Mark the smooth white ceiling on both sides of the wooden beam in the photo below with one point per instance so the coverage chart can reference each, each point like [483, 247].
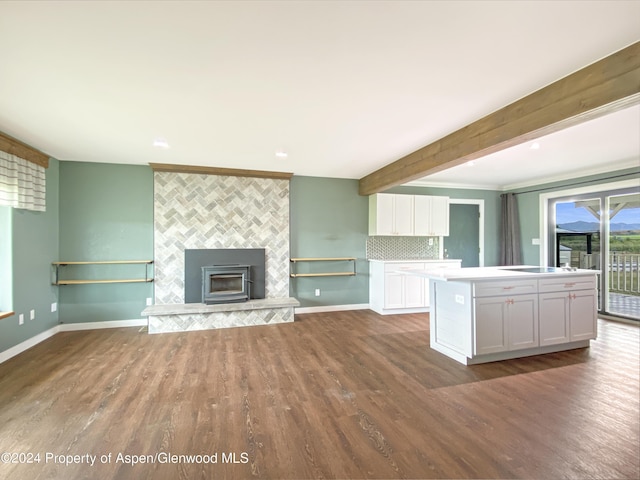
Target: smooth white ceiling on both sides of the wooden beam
[344, 87]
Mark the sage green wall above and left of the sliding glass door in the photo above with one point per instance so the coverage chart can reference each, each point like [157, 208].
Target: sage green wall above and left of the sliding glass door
[529, 205]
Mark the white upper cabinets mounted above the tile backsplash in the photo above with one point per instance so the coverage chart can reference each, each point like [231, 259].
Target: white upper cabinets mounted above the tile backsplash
[408, 215]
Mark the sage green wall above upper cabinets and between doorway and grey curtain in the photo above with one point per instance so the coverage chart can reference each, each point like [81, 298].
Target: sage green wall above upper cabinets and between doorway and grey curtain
[491, 213]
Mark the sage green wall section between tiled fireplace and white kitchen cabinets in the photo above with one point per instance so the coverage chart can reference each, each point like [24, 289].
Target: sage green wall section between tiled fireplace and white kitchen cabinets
[329, 219]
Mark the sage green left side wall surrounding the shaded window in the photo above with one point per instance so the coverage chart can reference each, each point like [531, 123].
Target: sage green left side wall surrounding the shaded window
[34, 245]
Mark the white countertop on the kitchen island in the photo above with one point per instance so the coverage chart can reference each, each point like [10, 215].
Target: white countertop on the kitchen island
[492, 273]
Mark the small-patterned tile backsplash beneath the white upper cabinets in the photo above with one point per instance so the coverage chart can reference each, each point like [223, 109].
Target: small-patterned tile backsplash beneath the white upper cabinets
[402, 248]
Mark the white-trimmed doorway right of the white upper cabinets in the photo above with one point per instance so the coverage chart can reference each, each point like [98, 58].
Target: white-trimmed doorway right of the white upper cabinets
[466, 232]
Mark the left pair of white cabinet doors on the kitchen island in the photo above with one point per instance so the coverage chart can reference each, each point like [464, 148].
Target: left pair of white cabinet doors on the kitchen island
[505, 323]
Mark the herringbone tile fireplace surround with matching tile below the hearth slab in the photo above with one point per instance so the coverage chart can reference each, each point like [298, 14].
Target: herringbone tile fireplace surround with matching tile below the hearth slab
[213, 211]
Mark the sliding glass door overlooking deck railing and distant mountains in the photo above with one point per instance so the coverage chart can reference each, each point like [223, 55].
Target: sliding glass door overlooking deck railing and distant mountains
[601, 231]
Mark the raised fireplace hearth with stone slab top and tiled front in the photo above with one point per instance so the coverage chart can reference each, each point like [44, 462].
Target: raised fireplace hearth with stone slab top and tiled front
[198, 316]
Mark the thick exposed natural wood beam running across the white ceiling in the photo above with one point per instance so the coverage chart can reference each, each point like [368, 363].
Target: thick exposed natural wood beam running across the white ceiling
[603, 87]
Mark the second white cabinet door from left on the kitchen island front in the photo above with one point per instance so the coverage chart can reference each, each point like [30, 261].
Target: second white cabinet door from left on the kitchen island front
[522, 319]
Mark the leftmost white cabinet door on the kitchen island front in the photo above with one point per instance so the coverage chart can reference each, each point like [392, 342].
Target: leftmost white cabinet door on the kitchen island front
[490, 325]
